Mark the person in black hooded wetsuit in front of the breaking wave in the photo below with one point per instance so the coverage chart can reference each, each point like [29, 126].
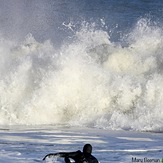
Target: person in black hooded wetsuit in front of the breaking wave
[78, 156]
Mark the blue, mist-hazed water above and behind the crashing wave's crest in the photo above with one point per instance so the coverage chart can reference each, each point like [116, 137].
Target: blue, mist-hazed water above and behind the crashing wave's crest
[44, 18]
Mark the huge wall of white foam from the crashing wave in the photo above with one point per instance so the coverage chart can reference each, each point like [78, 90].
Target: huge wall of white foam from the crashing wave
[89, 81]
